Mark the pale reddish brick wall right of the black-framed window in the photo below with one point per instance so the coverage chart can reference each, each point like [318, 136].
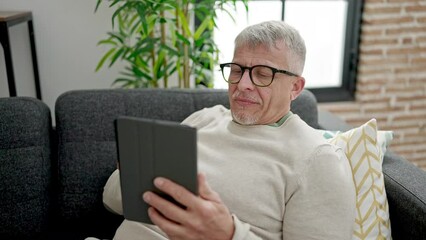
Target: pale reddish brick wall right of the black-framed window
[391, 82]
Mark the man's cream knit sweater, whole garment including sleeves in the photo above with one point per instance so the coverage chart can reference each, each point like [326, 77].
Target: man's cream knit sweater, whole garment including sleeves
[282, 182]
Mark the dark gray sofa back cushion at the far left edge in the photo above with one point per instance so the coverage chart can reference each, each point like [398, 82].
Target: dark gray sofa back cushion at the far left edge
[25, 167]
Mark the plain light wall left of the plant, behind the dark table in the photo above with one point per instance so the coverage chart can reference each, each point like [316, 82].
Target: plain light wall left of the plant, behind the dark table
[66, 34]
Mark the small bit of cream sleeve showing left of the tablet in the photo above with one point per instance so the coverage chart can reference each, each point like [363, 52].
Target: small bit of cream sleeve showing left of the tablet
[112, 194]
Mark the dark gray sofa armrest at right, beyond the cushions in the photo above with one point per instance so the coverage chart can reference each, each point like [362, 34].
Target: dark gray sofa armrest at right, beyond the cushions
[406, 192]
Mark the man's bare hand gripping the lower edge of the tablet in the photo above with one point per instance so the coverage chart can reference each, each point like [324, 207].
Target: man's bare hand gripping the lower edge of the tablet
[205, 216]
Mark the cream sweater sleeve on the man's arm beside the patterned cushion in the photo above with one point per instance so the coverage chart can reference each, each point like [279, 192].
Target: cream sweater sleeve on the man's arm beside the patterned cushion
[323, 206]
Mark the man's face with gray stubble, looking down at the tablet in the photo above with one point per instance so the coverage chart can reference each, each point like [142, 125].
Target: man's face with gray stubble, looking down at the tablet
[262, 105]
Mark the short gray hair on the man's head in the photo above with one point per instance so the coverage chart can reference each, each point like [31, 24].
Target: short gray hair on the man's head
[270, 33]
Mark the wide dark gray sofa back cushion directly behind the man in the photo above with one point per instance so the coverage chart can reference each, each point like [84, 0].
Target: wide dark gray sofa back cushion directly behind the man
[86, 139]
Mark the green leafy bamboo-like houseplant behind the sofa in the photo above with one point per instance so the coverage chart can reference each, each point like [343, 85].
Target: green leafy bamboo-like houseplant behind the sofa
[162, 39]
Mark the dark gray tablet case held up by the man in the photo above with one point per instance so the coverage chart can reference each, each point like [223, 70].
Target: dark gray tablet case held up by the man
[150, 148]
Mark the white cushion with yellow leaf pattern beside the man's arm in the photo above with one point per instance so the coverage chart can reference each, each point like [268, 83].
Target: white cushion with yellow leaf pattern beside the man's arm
[364, 147]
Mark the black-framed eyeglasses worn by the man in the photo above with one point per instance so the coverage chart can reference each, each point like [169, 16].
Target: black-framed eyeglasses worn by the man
[260, 75]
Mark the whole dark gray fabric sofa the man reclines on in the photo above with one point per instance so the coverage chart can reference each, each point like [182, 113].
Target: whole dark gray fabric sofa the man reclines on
[52, 178]
